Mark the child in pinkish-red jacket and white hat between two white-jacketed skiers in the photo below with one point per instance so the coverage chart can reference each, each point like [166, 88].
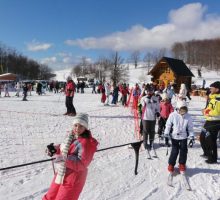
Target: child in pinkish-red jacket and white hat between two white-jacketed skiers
[165, 109]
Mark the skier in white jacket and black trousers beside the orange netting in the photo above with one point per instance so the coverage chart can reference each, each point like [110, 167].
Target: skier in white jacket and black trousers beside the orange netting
[150, 110]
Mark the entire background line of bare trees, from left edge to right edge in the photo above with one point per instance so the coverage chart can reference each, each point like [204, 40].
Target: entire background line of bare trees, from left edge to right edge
[202, 53]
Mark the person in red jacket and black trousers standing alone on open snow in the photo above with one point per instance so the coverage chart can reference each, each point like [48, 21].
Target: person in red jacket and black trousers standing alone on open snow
[69, 91]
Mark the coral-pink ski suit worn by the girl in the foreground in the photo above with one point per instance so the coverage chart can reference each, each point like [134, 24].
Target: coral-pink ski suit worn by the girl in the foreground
[80, 155]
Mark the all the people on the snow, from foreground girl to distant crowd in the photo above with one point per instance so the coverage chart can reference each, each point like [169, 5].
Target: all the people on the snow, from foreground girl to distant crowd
[153, 104]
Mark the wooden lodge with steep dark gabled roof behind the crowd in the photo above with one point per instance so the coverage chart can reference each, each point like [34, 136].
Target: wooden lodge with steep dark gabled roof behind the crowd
[170, 70]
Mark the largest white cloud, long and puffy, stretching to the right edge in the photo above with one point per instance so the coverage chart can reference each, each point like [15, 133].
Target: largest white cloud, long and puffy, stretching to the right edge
[186, 23]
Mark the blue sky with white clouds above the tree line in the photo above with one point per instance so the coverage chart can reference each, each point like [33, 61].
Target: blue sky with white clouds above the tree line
[60, 32]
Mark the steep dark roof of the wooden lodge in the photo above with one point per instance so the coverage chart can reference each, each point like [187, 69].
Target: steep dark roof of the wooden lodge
[177, 66]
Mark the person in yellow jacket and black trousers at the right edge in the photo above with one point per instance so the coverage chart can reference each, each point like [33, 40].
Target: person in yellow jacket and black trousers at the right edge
[212, 123]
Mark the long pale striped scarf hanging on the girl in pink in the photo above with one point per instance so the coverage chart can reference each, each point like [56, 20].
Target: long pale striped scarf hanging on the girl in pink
[64, 147]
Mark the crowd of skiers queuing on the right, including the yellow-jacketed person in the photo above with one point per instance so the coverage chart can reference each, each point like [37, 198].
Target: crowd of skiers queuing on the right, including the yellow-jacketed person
[170, 109]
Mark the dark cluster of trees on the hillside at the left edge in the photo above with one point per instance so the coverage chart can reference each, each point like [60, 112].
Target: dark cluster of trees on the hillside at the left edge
[13, 62]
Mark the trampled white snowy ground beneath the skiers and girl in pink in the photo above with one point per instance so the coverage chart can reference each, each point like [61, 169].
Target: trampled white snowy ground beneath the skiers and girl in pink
[27, 127]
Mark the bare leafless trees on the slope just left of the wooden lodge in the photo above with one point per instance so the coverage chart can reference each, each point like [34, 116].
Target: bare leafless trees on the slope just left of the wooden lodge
[114, 66]
